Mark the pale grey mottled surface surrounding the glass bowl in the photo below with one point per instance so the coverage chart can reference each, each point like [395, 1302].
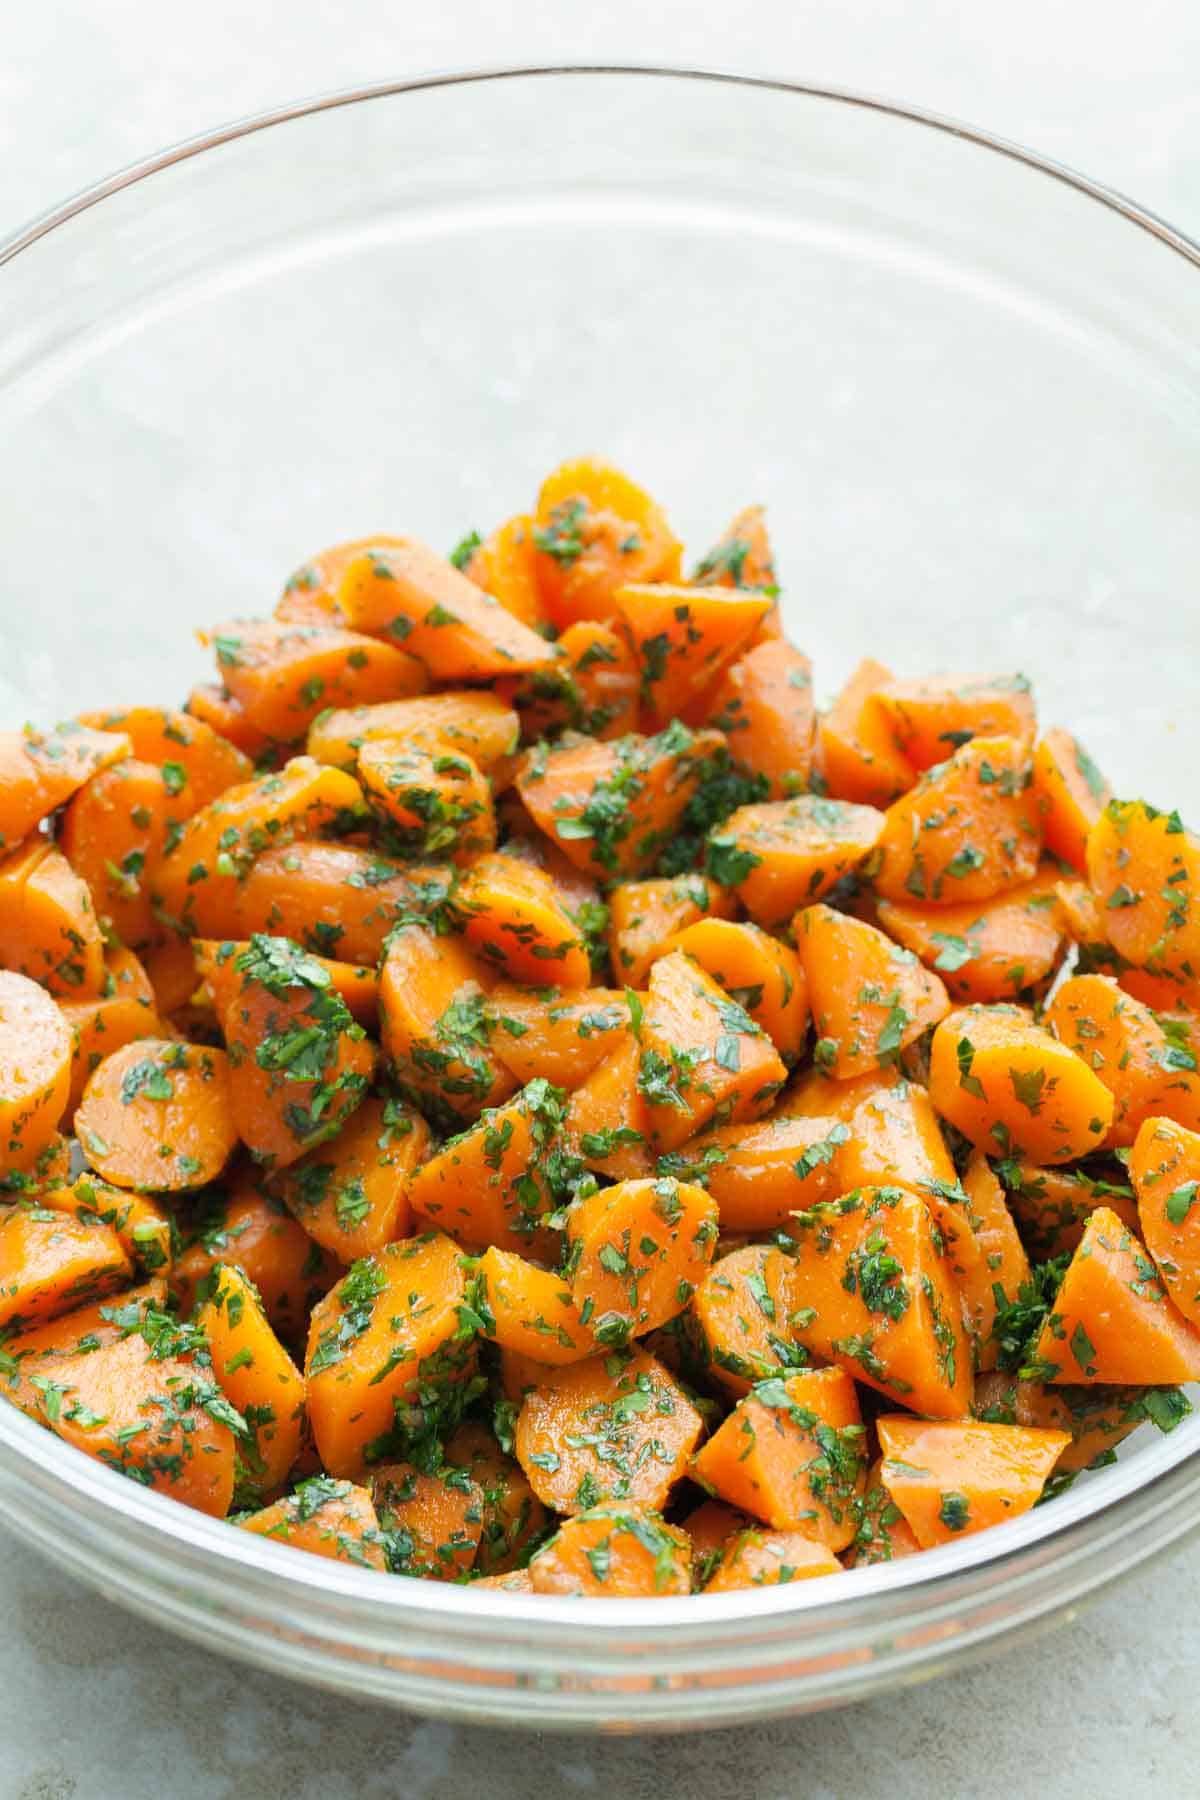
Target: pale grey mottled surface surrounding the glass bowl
[96, 1705]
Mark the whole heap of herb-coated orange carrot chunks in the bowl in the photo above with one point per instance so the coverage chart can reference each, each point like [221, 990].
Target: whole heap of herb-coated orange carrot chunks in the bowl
[499, 1088]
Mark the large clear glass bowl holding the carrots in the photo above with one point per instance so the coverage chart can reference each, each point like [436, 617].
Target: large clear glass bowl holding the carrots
[965, 382]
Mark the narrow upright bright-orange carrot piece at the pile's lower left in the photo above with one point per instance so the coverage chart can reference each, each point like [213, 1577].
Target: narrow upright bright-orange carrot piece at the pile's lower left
[258, 1376]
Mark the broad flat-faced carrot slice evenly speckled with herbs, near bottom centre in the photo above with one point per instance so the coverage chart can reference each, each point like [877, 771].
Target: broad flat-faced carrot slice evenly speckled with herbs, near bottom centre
[616, 1426]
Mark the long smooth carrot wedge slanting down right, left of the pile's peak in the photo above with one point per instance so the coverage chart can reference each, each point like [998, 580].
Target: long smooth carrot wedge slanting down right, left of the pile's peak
[411, 597]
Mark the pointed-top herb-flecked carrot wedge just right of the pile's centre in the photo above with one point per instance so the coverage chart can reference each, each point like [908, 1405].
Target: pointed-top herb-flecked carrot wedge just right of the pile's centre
[703, 1059]
